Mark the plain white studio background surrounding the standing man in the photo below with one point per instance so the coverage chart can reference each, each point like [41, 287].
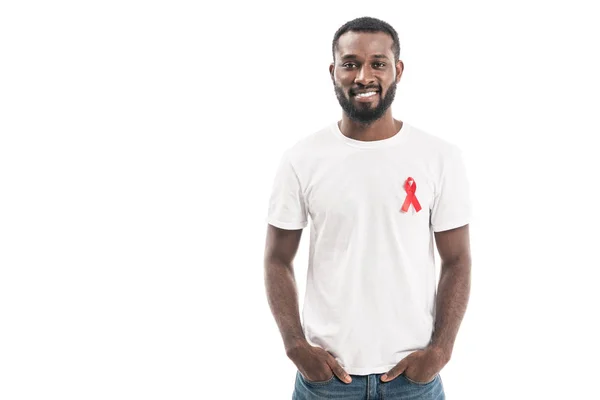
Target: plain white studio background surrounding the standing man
[138, 145]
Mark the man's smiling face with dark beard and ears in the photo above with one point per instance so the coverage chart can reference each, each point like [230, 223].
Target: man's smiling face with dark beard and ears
[364, 75]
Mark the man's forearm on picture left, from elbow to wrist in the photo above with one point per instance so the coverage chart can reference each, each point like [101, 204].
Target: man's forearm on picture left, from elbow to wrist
[283, 300]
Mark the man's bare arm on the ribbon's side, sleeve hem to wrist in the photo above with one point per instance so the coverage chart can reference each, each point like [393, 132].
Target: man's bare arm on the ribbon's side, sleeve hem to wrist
[454, 287]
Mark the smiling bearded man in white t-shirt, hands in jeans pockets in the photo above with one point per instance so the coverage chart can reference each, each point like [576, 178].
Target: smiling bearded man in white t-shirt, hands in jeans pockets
[377, 191]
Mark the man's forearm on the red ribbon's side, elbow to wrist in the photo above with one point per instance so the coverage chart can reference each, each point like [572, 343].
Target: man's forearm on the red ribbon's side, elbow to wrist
[452, 299]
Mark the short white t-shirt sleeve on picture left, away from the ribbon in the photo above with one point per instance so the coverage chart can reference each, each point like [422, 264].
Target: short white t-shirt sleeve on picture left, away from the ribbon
[287, 208]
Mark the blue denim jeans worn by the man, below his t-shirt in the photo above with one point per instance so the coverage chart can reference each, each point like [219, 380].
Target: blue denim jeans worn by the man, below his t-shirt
[368, 387]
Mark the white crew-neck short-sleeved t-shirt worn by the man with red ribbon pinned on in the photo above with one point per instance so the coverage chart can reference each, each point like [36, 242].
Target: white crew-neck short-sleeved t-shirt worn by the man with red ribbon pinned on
[371, 284]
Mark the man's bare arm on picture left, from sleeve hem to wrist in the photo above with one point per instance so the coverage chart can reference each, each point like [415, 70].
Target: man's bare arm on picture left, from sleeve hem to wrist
[280, 249]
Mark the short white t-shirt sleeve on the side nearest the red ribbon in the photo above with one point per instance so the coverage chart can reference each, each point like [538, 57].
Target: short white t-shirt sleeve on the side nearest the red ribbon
[452, 202]
